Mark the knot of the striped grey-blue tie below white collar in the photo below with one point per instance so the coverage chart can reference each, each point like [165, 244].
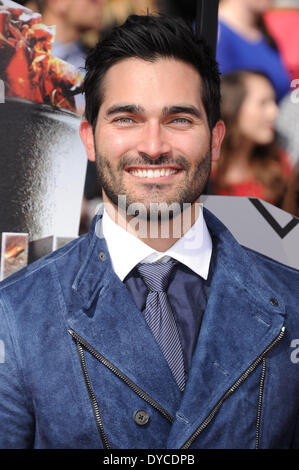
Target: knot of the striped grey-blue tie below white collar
[156, 275]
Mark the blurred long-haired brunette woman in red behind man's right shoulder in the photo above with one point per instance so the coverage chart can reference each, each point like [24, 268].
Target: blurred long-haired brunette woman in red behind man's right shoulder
[251, 163]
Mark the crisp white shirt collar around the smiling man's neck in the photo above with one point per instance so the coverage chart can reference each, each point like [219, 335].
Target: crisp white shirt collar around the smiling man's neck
[193, 250]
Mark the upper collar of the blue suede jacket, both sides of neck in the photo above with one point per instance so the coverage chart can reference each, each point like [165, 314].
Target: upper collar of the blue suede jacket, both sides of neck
[95, 271]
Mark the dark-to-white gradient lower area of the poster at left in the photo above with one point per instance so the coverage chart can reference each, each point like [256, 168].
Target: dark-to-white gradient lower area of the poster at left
[42, 169]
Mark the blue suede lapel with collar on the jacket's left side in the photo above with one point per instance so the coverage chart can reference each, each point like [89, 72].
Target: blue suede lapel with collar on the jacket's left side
[110, 322]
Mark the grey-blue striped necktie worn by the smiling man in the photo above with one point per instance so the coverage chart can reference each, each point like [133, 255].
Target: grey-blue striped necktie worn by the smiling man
[160, 318]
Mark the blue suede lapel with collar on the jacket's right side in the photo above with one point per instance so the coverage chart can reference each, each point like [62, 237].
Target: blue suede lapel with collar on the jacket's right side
[238, 325]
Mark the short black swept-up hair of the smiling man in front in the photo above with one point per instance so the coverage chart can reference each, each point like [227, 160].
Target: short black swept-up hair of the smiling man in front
[150, 38]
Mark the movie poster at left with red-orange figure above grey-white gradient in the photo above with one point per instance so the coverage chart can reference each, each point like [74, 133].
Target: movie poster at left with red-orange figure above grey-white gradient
[43, 161]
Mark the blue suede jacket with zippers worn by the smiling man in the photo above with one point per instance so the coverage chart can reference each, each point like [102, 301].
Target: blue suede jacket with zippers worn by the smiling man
[78, 359]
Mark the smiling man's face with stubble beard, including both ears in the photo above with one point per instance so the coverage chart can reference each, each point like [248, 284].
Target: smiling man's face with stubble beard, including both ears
[152, 139]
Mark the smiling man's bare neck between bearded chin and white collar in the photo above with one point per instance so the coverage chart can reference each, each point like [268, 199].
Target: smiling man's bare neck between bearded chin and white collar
[159, 235]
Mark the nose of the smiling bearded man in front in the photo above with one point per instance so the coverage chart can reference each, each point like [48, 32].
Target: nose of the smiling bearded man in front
[153, 141]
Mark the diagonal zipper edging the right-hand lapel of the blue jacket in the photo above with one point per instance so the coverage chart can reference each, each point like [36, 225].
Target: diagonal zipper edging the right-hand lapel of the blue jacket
[231, 390]
